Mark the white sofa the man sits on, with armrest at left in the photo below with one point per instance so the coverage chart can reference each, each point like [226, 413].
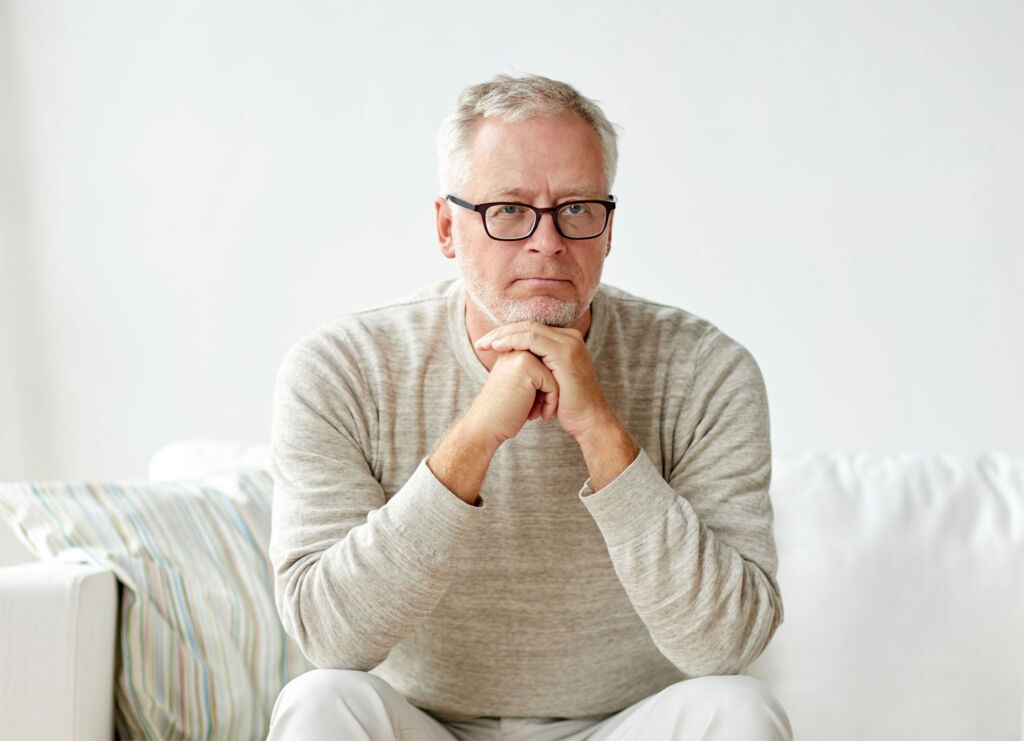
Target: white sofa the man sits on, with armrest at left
[903, 578]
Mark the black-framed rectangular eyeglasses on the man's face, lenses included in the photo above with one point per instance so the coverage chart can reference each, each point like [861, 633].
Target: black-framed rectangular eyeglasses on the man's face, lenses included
[508, 222]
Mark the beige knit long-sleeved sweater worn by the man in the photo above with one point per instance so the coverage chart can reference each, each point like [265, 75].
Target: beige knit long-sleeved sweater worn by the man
[549, 600]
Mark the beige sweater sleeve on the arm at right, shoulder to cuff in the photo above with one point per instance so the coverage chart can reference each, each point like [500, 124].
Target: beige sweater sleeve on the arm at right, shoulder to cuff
[695, 549]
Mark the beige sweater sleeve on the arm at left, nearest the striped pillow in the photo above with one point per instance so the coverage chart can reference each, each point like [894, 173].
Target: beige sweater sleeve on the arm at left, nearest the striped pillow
[356, 573]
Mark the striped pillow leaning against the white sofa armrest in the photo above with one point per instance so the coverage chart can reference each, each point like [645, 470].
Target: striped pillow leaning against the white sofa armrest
[203, 650]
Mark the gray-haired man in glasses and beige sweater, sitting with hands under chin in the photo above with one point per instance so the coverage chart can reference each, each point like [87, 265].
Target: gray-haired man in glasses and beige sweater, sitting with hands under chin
[531, 505]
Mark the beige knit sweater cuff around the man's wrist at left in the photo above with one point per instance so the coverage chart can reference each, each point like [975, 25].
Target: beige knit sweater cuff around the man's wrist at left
[429, 517]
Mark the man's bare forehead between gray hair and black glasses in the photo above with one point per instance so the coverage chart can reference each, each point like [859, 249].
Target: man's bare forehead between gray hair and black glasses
[549, 155]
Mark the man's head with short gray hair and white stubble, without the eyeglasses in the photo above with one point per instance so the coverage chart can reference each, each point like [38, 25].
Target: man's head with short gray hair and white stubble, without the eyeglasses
[536, 142]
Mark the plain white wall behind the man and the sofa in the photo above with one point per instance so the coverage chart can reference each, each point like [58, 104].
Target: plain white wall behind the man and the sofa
[190, 187]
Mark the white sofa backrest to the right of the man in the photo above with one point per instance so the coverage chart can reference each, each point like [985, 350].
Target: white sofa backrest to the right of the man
[903, 579]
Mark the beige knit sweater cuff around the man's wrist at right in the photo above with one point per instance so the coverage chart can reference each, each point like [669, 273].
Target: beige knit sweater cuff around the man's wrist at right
[635, 502]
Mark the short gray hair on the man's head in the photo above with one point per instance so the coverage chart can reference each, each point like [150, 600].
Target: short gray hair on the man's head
[516, 99]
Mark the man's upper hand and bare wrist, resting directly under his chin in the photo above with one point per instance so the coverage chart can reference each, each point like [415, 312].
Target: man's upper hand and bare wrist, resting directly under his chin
[581, 407]
